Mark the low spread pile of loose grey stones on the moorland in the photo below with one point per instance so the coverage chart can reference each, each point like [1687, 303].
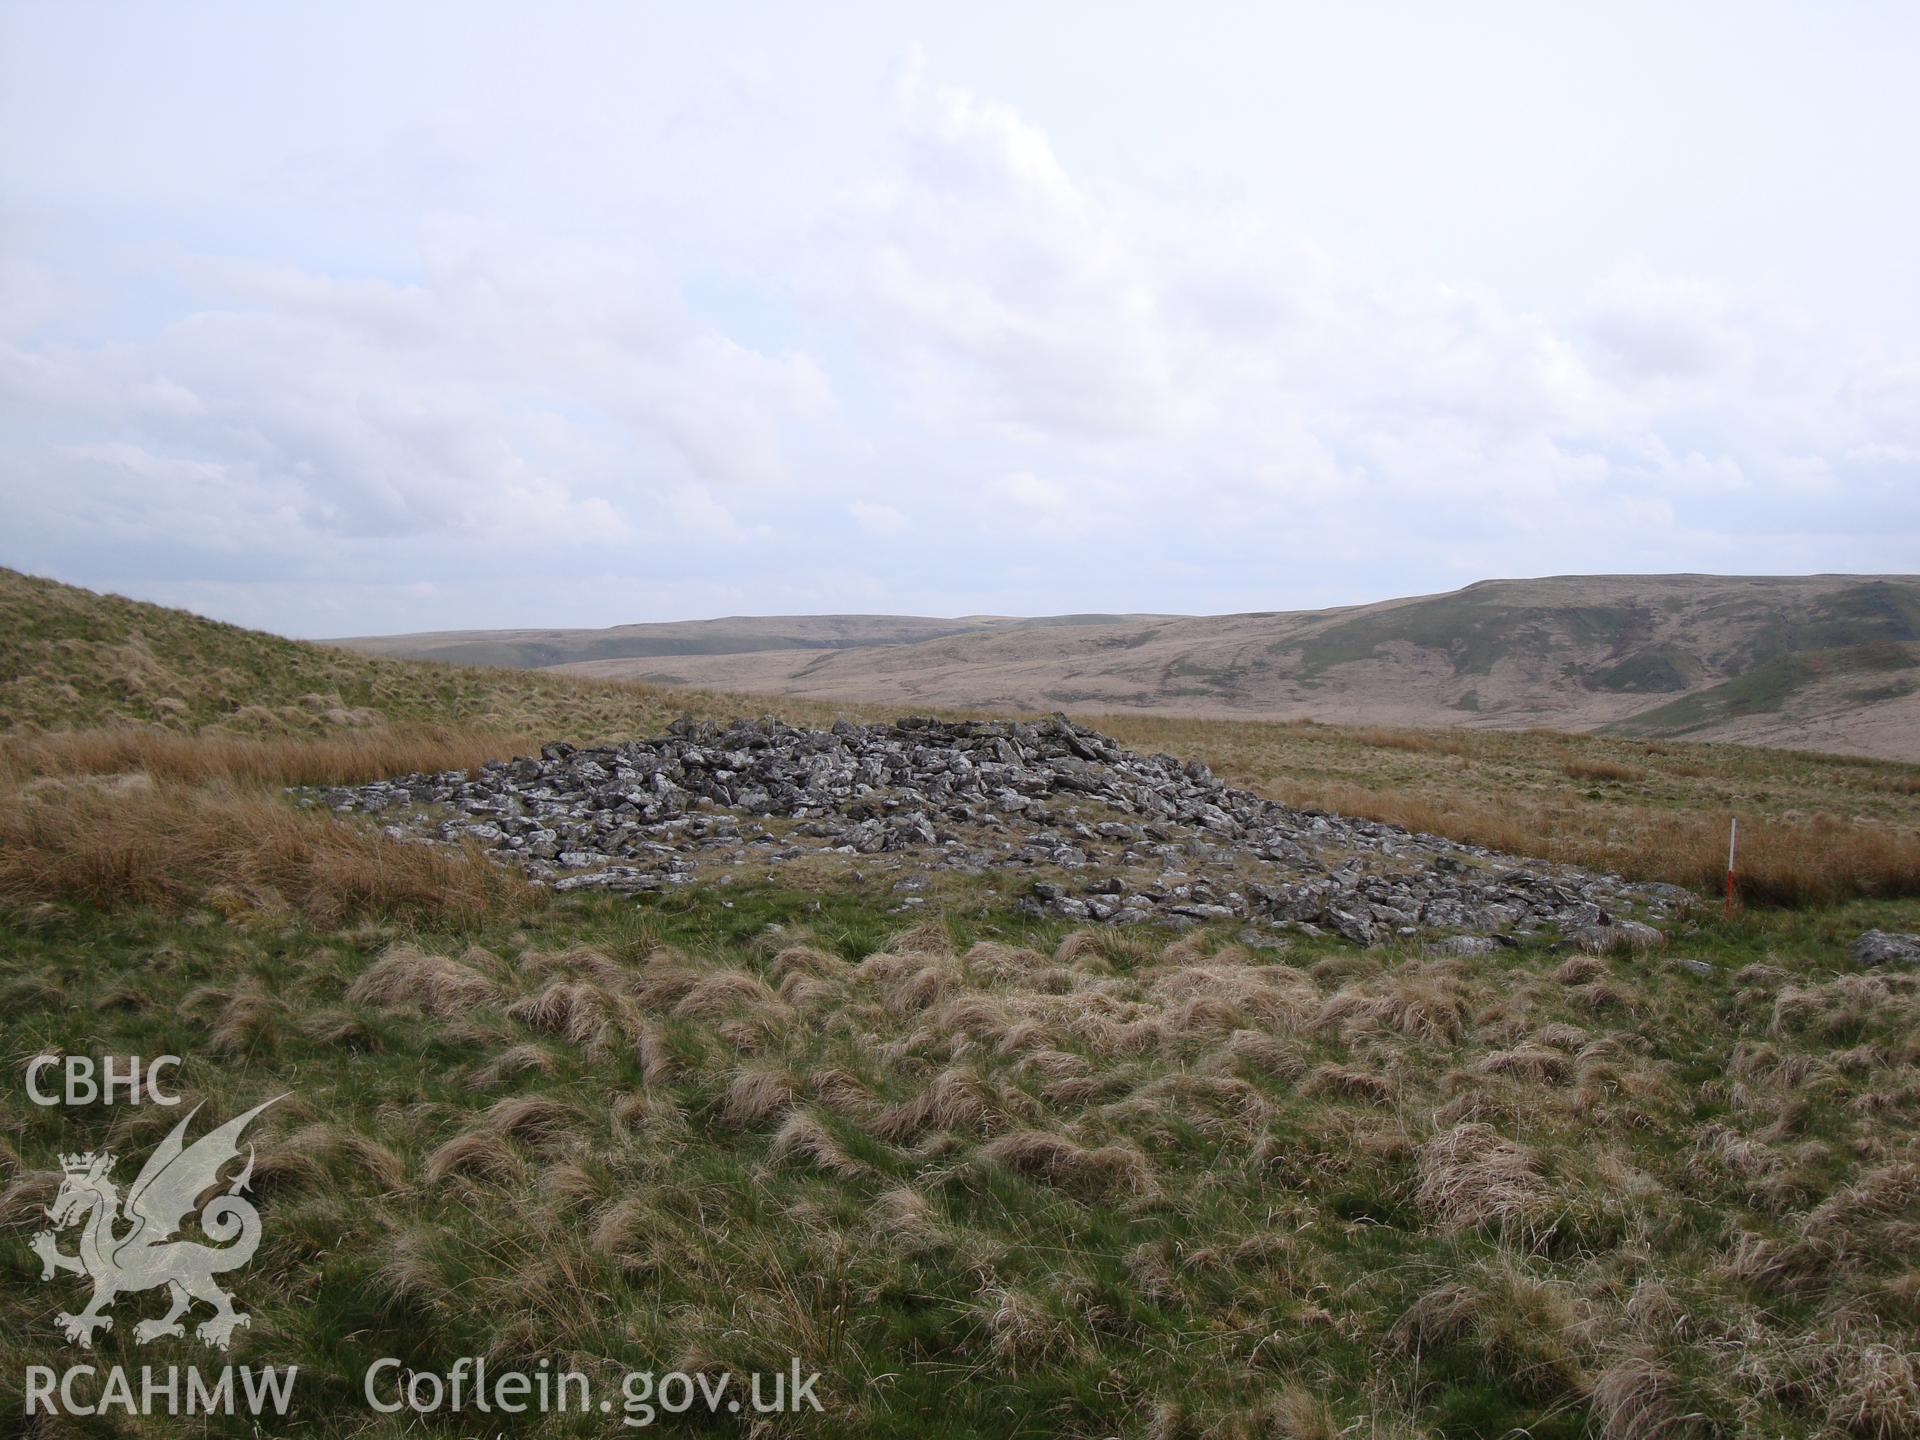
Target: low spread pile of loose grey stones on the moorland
[1078, 827]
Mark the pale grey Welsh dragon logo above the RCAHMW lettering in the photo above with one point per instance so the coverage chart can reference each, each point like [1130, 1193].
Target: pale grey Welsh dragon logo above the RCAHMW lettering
[147, 1255]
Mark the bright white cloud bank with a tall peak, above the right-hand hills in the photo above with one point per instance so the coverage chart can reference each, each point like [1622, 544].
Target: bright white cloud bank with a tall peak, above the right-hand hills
[1216, 372]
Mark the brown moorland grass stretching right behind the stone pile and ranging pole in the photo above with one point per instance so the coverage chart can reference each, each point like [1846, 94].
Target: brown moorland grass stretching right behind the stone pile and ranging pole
[1813, 828]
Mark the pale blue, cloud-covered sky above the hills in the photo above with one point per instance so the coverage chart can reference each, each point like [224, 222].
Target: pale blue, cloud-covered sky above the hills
[364, 318]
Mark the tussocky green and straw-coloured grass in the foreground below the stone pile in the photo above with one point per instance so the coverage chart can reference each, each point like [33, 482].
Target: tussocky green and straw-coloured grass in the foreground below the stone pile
[1276, 1257]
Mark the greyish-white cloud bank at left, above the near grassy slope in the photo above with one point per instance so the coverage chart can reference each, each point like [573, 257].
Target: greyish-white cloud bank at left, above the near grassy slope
[389, 410]
